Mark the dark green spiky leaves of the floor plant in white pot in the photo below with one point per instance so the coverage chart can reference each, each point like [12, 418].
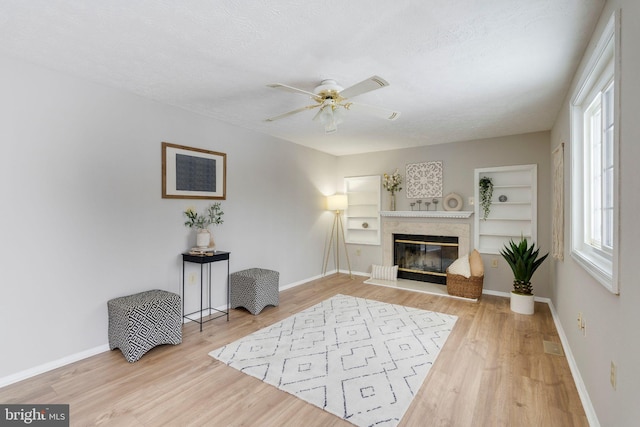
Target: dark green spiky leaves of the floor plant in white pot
[524, 261]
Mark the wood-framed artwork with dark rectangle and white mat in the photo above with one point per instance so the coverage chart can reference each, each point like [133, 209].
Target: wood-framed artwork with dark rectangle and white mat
[193, 173]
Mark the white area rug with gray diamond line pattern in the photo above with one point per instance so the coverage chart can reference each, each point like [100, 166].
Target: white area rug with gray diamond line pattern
[359, 359]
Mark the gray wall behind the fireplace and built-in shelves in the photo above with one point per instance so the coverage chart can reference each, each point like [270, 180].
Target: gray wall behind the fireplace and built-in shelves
[459, 161]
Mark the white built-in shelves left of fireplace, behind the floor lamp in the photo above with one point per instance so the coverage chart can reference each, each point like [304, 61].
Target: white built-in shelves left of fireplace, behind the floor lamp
[362, 217]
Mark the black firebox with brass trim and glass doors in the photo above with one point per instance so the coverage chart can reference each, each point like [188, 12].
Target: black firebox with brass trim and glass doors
[424, 258]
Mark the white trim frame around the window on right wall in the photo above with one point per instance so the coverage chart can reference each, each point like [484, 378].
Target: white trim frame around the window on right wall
[605, 271]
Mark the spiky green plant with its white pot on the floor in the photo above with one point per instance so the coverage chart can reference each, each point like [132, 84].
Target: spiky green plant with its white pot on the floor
[524, 260]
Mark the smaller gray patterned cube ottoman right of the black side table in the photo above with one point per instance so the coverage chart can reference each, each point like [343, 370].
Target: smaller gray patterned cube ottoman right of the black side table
[254, 289]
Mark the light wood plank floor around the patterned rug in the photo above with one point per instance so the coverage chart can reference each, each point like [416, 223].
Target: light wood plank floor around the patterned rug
[491, 372]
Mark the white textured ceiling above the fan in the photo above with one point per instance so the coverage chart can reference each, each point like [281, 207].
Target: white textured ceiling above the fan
[458, 70]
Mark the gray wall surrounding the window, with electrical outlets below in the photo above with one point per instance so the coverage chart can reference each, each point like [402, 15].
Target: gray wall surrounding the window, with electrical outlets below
[611, 320]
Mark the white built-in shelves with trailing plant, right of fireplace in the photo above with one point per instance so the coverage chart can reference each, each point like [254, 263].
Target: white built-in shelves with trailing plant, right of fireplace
[511, 218]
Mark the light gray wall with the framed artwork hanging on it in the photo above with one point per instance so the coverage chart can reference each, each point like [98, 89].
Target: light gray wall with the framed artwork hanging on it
[82, 218]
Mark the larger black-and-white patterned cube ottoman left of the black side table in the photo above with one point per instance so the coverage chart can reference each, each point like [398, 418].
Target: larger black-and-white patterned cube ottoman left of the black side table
[139, 322]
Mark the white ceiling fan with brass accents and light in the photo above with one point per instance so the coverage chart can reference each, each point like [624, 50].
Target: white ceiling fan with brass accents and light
[332, 100]
